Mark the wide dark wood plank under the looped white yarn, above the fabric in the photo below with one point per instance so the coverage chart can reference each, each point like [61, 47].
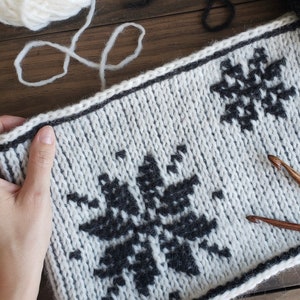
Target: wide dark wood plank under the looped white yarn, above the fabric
[164, 42]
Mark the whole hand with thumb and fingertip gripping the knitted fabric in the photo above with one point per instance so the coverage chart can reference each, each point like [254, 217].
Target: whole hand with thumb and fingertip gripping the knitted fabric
[26, 218]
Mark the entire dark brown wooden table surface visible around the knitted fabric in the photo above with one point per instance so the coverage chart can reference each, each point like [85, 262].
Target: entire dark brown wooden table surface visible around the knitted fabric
[173, 30]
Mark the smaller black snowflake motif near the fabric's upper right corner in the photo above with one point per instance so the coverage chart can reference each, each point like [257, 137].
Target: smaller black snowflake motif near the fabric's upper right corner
[262, 86]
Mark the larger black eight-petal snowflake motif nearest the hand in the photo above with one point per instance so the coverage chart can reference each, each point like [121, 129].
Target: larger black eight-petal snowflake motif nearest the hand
[135, 226]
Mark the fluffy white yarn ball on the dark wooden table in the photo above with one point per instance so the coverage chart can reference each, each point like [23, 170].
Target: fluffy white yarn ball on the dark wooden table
[36, 14]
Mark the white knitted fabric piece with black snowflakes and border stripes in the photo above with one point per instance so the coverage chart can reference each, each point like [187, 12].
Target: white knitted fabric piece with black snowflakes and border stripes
[154, 178]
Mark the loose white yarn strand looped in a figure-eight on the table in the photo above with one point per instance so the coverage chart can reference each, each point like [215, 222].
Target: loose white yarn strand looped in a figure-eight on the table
[70, 52]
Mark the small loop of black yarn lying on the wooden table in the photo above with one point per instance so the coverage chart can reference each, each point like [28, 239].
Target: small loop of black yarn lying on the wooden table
[205, 15]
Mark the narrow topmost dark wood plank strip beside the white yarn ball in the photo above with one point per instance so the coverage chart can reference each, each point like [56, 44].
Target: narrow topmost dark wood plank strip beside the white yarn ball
[114, 12]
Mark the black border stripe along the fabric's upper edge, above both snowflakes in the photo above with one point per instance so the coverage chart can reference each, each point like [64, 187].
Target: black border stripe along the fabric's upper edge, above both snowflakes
[30, 134]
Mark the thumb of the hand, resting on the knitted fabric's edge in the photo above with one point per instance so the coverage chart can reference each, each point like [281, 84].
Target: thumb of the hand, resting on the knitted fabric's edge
[41, 156]
